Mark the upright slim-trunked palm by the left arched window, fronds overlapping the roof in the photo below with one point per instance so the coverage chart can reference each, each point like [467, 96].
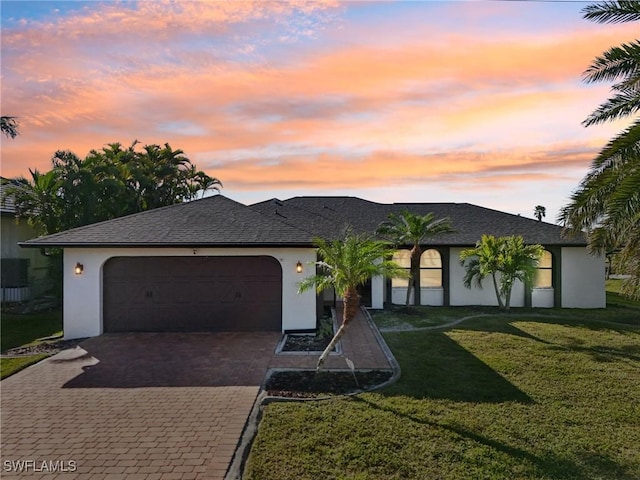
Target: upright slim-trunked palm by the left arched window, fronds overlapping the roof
[410, 229]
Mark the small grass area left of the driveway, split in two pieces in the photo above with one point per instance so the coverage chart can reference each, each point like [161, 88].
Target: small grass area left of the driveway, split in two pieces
[21, 330]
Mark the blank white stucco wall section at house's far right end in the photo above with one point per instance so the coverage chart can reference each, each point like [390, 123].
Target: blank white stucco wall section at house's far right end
[583, 279]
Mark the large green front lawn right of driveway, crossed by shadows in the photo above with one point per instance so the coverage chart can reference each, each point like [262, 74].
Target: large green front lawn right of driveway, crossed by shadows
[495, 397]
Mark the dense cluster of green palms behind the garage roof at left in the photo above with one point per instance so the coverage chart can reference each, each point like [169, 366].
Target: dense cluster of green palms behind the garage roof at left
[106, 184]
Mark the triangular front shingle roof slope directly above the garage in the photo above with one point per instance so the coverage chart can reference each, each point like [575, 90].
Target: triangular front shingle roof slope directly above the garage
[212, 221]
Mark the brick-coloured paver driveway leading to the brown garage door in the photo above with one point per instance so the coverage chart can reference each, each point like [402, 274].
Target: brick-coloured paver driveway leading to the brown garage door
[134, 406]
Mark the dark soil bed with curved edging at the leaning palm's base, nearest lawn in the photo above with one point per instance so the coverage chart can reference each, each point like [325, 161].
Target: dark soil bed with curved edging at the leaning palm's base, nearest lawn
[309, 384]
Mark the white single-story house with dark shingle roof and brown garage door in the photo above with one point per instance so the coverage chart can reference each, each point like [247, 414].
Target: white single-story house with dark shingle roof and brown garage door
[216, 264]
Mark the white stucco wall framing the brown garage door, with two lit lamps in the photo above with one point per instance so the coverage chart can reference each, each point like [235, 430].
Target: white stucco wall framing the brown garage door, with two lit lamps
[83, 293]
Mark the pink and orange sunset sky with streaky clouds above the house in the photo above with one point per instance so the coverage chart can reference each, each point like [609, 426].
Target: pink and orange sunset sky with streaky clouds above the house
[433, 101]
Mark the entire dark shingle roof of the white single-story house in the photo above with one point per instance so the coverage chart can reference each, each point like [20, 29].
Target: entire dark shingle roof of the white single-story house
[220, 221]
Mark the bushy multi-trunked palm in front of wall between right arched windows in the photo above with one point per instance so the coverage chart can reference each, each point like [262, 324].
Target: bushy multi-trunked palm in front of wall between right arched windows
[505, 259]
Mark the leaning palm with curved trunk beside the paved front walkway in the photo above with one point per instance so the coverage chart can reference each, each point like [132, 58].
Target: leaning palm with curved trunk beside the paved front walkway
[344, 265]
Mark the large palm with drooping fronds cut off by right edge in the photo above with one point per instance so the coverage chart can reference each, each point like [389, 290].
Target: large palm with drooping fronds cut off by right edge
[608, 197]
